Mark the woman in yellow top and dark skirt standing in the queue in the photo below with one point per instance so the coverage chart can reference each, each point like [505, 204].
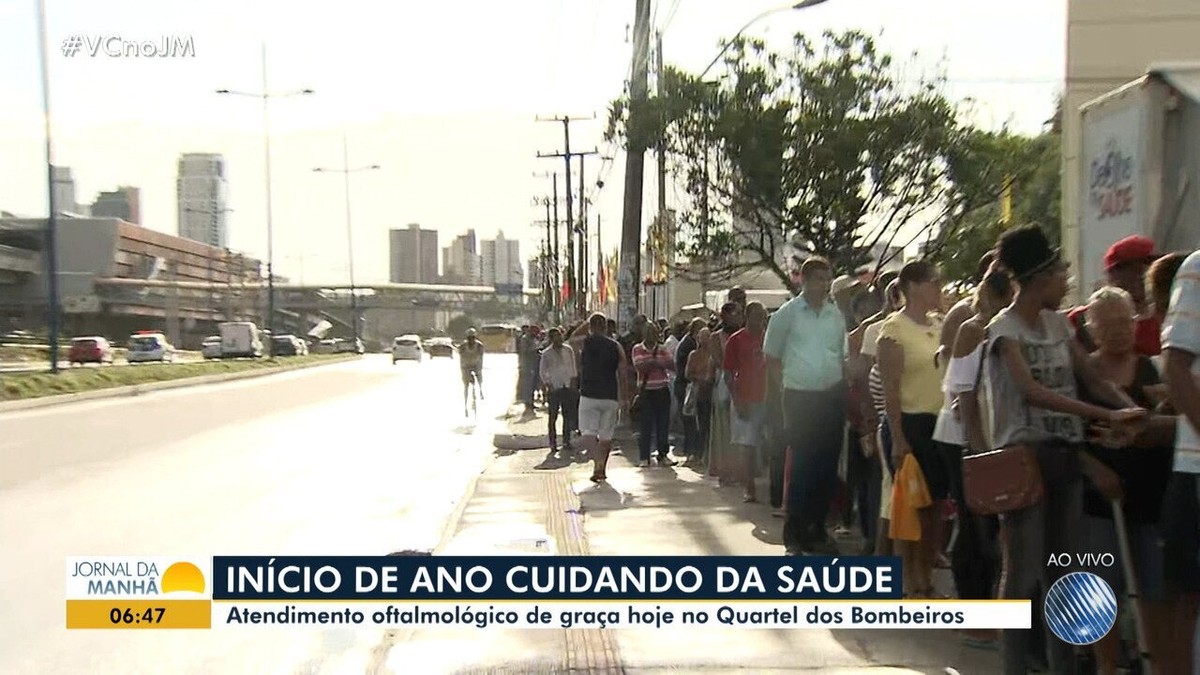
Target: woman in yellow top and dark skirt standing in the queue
[913, 386]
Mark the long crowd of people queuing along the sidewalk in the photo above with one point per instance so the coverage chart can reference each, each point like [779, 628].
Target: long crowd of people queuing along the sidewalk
[844, 403]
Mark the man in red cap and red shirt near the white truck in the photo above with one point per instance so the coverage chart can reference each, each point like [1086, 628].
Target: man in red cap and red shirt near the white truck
[1125, 267]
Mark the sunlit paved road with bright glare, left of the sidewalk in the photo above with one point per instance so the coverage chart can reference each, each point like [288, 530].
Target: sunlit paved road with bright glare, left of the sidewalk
[361, 458]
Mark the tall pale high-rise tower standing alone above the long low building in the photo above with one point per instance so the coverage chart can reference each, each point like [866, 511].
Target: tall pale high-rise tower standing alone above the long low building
[202, 199]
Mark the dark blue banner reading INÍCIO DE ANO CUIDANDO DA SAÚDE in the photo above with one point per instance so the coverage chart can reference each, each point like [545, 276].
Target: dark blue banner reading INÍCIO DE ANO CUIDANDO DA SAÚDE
[565, 578]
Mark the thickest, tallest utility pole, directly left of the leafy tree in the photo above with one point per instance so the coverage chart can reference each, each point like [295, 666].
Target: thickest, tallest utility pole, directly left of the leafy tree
[635, 175]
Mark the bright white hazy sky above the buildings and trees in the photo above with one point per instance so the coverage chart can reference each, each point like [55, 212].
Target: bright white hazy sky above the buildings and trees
[445, 97]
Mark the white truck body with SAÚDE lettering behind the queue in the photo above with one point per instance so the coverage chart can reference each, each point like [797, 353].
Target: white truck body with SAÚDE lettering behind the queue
[1141, 166]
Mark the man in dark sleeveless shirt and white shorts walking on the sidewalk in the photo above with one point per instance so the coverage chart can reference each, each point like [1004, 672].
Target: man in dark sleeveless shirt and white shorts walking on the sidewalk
[602, 371]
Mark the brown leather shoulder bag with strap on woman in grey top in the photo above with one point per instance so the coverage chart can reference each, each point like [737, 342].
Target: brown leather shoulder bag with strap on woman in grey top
[1004, 480]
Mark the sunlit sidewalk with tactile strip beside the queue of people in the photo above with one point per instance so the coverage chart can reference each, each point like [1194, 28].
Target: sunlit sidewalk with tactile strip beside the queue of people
[658, 511]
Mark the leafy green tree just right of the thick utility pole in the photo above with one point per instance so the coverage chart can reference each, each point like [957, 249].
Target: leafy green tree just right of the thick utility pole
[812, 152]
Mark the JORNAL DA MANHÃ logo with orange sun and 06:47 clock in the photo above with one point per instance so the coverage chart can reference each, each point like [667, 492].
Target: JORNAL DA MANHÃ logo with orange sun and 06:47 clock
[137, 593]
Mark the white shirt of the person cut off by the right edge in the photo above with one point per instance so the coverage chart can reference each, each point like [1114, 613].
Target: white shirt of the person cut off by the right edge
[1181, 331]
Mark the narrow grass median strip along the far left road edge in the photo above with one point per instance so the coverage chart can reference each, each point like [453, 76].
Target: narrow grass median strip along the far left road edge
[74, 381]
